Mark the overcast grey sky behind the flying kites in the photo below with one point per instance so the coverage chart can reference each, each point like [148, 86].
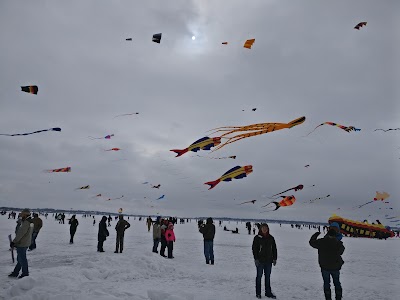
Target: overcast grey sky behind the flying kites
[307, 60]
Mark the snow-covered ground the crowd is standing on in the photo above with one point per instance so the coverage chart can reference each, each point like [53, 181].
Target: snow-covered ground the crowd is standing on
[62, 271]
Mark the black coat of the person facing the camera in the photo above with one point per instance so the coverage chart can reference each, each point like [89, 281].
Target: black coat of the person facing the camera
[264, 248]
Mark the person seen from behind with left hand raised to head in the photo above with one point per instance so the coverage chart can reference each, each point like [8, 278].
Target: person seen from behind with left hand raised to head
[330, 260]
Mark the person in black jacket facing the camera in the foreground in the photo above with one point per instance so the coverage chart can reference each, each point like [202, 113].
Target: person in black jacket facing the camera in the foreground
[265, 254]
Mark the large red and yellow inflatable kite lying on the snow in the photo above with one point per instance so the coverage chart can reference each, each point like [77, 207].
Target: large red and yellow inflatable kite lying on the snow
[361, 229]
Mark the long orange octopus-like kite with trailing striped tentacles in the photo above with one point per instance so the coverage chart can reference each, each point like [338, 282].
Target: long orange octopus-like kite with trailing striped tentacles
[256, 129]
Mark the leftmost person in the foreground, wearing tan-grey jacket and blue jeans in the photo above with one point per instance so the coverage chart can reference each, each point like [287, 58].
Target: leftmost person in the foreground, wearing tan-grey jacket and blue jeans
[21, 242]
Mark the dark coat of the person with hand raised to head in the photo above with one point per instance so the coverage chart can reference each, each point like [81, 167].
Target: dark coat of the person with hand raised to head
[329, 251]
